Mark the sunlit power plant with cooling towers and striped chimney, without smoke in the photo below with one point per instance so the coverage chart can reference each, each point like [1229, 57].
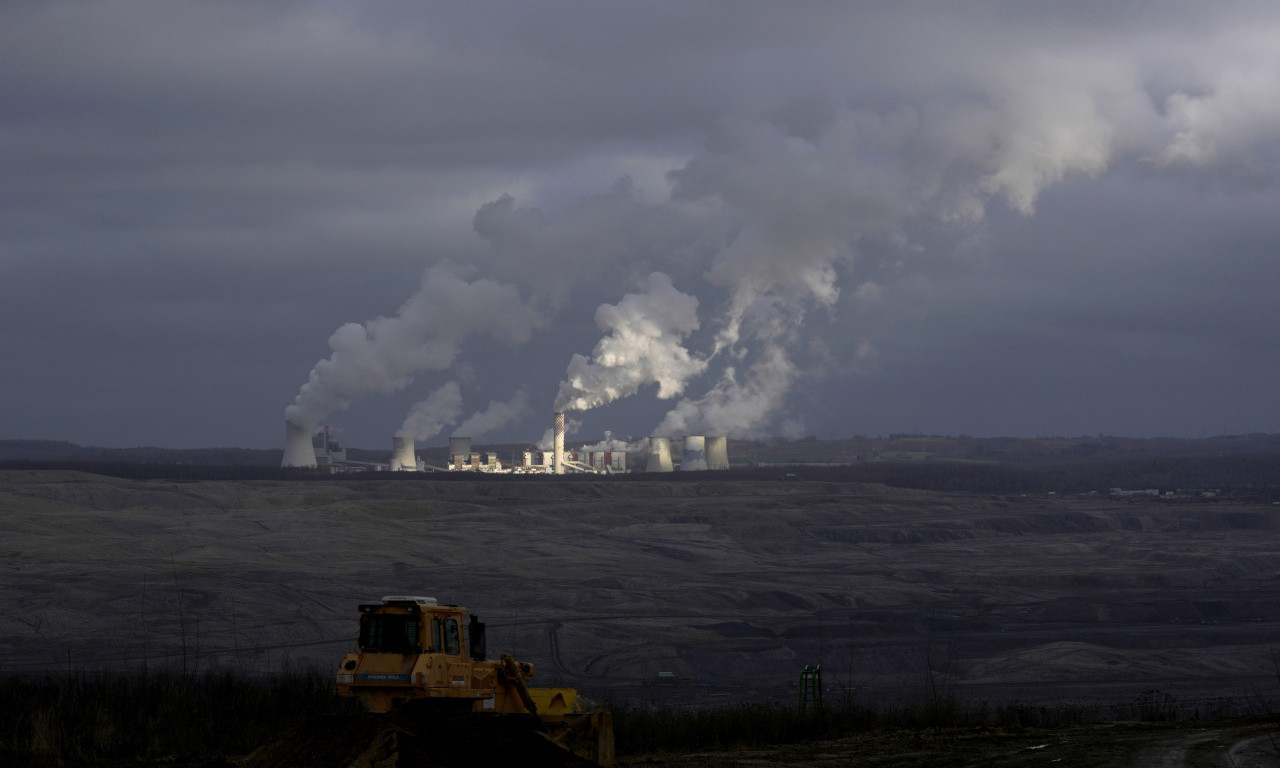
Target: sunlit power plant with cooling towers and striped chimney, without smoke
[318, 450]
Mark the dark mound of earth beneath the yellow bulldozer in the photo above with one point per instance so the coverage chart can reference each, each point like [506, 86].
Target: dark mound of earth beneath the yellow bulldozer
[413, 737]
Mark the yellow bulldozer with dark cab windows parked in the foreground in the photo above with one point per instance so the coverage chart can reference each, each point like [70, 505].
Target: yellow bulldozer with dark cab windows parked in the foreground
[415, 653]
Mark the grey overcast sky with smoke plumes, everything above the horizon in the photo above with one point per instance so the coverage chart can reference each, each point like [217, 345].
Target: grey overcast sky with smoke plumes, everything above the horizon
[742, 218]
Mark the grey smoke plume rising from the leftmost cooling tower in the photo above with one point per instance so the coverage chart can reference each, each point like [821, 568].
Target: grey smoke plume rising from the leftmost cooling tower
[386, 354]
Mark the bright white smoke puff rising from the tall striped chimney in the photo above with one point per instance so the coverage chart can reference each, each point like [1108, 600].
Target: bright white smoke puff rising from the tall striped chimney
[643, 346]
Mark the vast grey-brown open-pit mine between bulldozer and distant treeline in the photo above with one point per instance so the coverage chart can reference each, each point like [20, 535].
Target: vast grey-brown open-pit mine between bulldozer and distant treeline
[730, 587]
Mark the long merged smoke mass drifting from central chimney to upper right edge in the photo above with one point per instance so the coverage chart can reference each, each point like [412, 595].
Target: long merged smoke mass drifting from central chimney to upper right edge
[793, 205]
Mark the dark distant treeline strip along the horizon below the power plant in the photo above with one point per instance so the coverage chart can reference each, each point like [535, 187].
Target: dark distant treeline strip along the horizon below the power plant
[1229, 476]
